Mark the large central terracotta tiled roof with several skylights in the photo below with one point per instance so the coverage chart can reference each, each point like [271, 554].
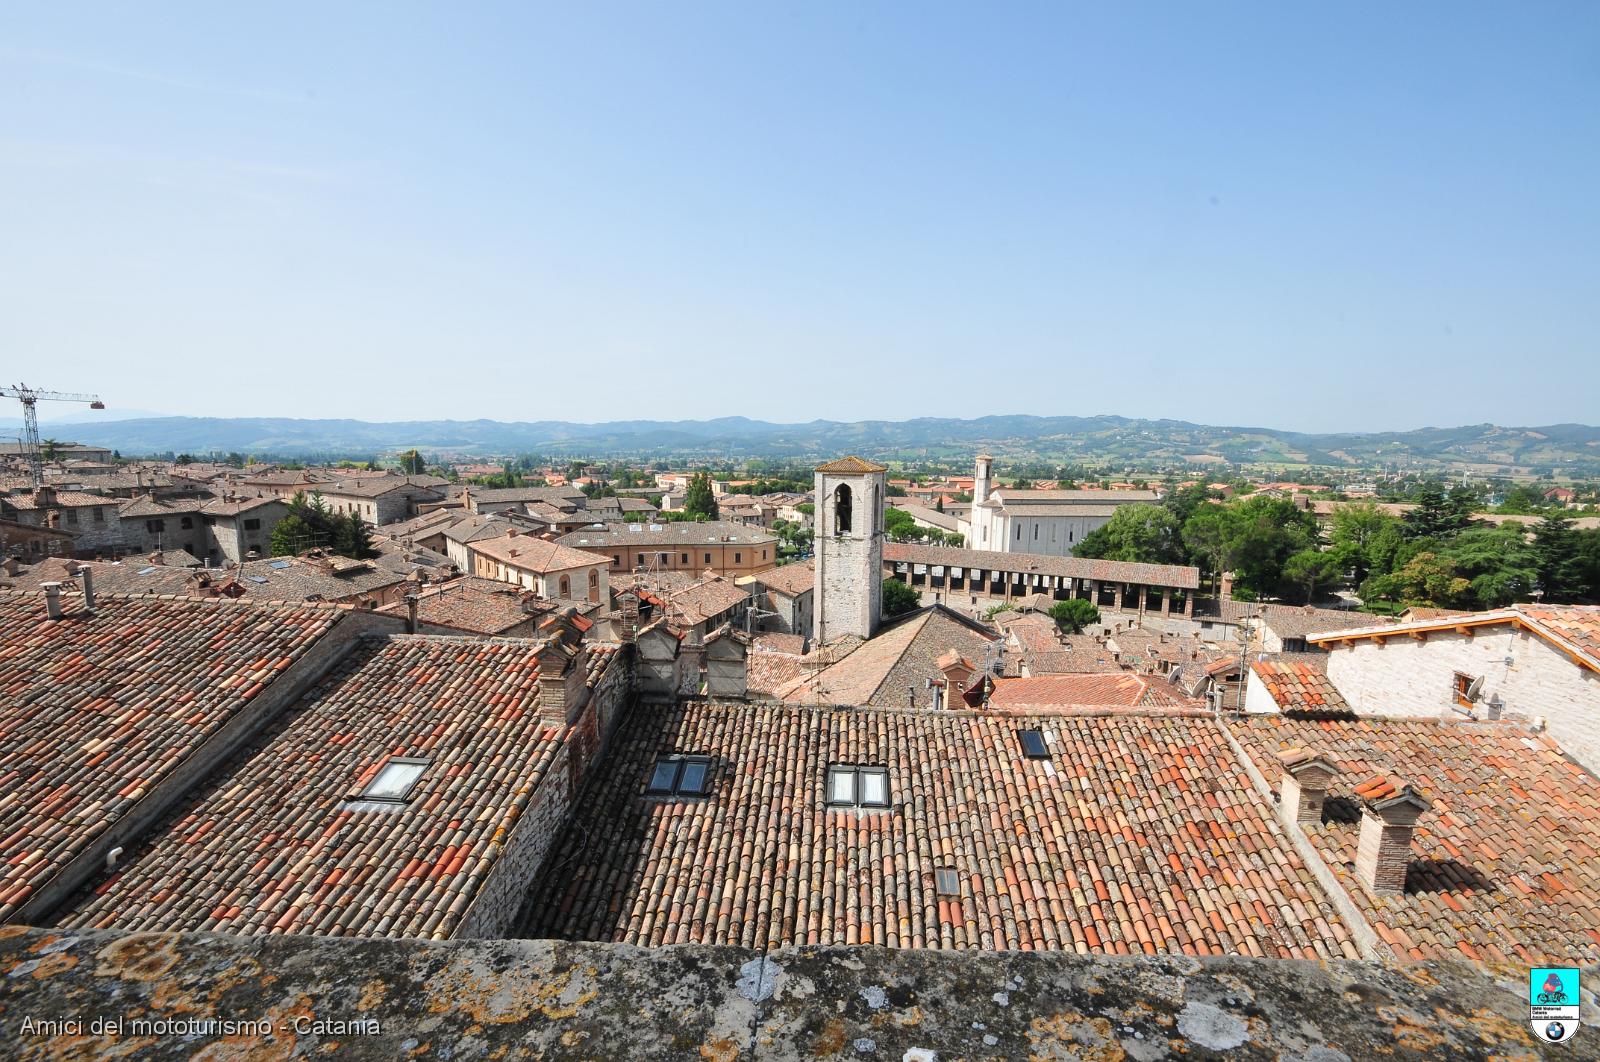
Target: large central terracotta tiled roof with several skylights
[1138, 836]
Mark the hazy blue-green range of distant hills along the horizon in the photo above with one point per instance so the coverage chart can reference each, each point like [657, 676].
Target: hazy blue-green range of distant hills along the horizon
[1574, 449]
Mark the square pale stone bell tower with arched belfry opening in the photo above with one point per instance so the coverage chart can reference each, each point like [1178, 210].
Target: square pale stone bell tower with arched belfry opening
[849, 596]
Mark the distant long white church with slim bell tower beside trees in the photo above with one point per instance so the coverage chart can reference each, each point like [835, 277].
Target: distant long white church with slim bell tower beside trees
[1038, 522]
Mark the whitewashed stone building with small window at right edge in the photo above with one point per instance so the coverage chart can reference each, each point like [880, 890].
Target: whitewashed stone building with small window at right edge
[1529, 661]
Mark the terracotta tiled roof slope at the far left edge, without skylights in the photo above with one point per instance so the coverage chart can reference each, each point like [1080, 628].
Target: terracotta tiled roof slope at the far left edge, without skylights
[137, 687]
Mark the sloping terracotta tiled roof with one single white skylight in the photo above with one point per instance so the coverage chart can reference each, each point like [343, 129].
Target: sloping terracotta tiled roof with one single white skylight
[271, 845]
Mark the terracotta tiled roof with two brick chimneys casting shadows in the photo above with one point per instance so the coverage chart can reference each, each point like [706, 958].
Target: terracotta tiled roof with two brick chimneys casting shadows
[1506, 861]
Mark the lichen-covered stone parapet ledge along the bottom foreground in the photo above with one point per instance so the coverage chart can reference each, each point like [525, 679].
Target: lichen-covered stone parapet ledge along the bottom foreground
[335, 997]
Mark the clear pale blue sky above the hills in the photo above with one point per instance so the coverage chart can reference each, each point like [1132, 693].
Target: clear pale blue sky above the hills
[1305, 217]
